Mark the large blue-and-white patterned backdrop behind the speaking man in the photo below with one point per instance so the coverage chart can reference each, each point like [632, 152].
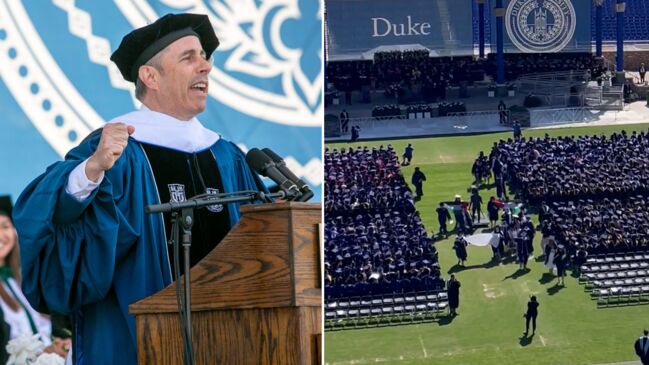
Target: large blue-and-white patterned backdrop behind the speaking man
[57, 83]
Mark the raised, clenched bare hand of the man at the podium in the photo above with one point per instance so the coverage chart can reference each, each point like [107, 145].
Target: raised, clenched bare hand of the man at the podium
[114, 138]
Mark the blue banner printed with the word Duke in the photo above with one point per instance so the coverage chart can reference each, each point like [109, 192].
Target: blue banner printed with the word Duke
[356, 27]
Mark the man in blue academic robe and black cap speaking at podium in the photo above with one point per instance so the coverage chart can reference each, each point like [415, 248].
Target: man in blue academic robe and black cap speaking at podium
[88, 248]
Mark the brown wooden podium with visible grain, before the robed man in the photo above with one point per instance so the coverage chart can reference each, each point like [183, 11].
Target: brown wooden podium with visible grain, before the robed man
[256, 298]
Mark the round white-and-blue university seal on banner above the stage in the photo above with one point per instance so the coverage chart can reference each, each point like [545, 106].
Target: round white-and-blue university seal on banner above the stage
[535, 26]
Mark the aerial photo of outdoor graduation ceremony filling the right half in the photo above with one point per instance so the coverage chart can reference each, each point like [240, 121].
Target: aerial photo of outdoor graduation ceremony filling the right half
[486, 182]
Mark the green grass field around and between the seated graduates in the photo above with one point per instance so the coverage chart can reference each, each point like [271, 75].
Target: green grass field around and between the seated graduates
[489, 330]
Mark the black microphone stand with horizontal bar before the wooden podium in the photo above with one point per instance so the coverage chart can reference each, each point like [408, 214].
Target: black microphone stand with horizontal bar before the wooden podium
[182, 215]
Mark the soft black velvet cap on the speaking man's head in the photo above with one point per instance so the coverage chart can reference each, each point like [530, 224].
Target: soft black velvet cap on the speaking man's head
[142, 44]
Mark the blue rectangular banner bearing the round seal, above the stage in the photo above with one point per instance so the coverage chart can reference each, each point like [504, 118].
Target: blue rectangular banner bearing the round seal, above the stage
[545, 26]
